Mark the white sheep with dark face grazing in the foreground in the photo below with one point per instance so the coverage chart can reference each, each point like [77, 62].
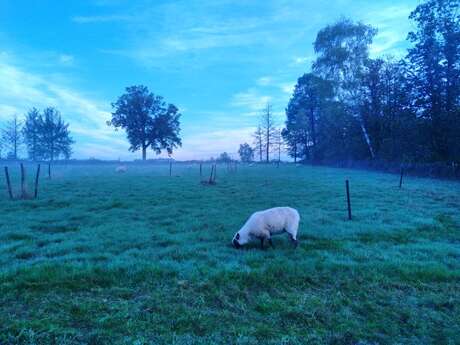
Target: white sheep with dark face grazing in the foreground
[263, 225]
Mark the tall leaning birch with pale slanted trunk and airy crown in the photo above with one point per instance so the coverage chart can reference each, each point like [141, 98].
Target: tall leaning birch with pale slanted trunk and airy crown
[343, 52]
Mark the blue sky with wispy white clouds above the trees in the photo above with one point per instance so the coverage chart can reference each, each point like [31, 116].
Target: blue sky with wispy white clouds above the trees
[219, 62]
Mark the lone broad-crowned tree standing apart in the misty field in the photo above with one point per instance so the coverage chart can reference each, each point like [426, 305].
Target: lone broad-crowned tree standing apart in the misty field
[148, 121]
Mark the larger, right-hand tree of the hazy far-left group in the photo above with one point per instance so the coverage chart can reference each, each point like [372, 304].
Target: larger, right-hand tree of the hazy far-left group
[54, 138]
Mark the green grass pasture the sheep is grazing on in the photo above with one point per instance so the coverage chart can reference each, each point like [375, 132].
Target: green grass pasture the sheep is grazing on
[144, 258]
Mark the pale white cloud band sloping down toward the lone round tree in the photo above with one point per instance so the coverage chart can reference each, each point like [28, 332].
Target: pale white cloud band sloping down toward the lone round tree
[21, 90]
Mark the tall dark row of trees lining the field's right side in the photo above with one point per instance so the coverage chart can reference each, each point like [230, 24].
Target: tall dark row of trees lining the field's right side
[355, 107]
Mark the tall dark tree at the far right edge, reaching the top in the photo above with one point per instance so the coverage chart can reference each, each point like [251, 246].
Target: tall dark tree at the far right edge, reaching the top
[435, 62]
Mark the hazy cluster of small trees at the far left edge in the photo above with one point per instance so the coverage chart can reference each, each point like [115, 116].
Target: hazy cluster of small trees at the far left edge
[44, 134]
